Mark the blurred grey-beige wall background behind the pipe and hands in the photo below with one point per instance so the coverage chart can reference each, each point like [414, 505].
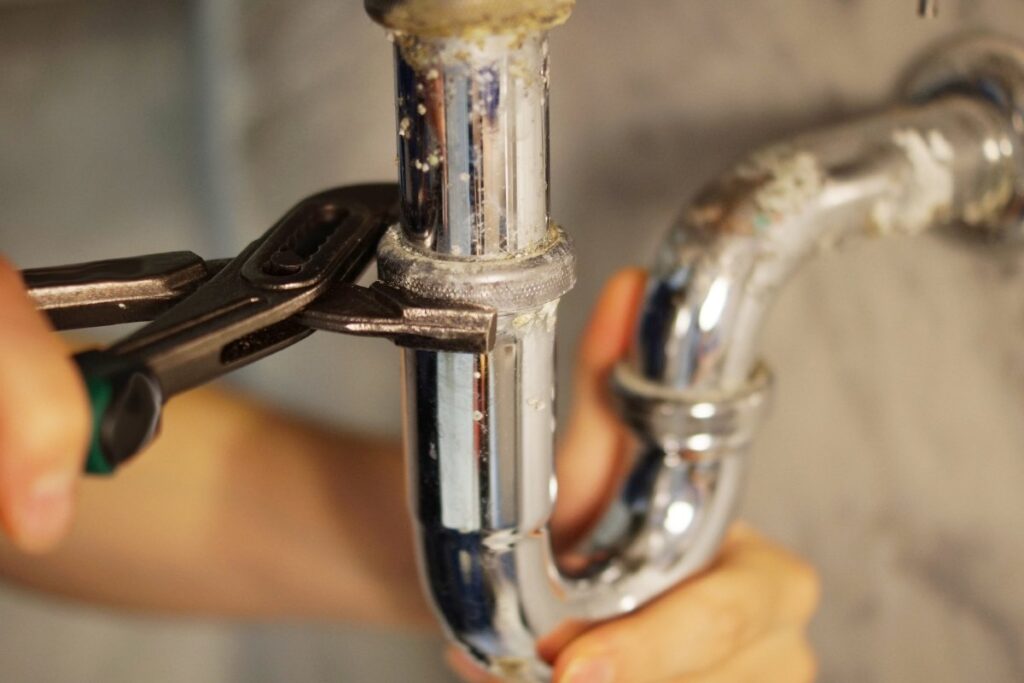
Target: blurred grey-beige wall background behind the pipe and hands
[893, 460]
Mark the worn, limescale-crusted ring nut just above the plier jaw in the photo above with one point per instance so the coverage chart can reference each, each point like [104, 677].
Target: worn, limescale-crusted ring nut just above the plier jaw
[517, 283]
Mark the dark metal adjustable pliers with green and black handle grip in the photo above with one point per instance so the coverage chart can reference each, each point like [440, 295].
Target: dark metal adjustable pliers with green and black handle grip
[215, 317]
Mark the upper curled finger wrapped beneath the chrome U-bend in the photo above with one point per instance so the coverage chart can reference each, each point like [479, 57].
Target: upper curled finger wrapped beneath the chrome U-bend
[755, 587]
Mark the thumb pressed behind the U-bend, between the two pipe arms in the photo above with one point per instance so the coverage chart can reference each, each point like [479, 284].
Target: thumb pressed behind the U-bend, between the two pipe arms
[590, 457]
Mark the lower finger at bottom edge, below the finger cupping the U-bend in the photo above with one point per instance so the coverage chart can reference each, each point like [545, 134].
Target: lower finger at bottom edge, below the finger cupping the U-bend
[782, 657]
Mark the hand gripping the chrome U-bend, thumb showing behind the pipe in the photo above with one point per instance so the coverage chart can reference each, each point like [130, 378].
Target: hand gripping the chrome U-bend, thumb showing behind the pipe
[744, 619]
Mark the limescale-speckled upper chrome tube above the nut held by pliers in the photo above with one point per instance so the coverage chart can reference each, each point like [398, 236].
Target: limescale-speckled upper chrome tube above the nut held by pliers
[473, 143]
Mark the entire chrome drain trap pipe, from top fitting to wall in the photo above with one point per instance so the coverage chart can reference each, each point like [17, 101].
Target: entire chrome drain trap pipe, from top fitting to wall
[472, 93]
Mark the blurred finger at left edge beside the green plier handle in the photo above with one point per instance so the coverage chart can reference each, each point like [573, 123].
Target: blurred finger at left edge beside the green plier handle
[45, 422]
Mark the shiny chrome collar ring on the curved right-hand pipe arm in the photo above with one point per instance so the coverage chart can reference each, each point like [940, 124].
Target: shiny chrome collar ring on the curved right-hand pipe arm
[699, 425]
